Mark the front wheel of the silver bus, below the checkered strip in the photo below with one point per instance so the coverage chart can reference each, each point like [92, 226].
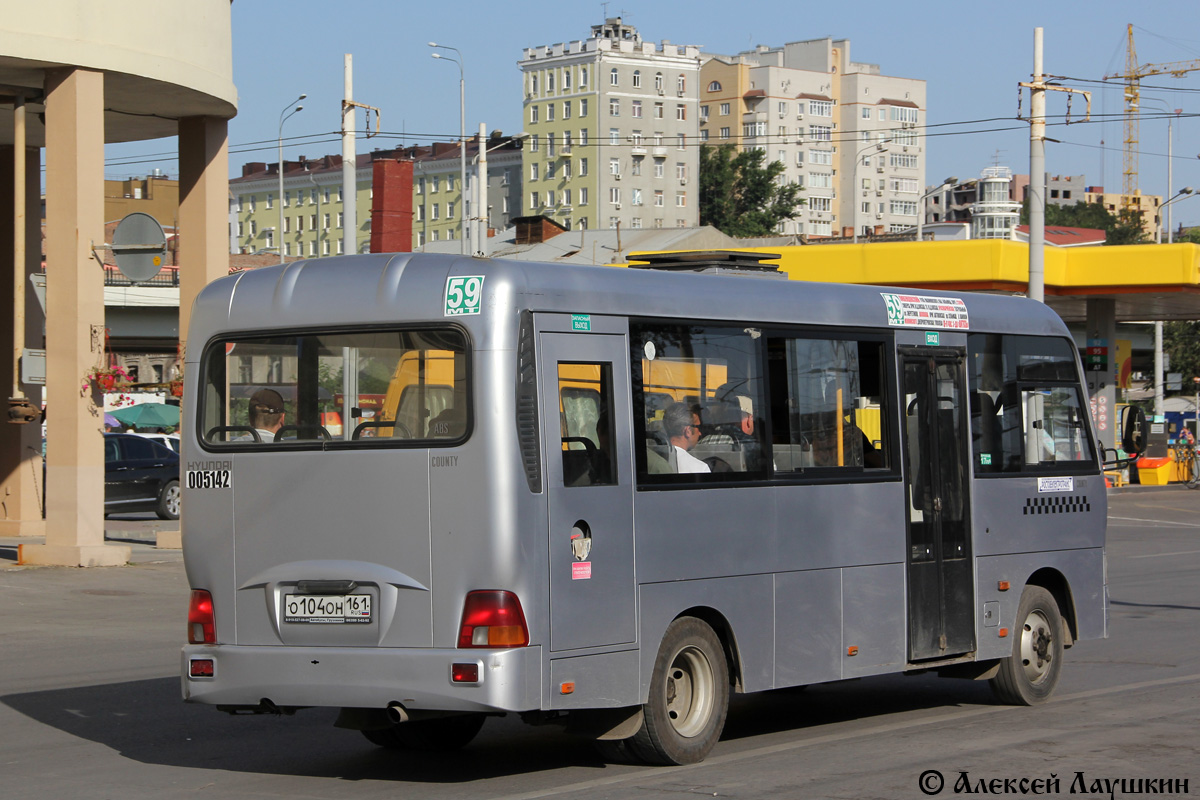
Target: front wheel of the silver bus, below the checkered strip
[1031, 673]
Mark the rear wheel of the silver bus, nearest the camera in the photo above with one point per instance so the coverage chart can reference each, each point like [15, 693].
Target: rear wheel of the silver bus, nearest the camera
[689, 697]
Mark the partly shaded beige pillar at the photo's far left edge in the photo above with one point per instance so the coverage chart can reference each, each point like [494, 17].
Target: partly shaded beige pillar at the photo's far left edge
[21, 446]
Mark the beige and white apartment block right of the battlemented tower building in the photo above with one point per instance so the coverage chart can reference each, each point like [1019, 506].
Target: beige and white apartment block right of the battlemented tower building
[849, 135]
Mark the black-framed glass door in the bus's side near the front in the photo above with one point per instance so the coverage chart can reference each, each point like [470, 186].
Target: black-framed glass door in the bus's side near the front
[941, 581]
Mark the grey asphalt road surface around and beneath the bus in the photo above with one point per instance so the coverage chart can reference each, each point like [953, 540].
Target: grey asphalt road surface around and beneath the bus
[89, 707]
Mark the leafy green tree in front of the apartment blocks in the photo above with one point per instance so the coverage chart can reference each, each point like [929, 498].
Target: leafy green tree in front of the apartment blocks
[740, 196]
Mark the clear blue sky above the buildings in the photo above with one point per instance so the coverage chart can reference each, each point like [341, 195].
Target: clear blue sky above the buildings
[971, 56]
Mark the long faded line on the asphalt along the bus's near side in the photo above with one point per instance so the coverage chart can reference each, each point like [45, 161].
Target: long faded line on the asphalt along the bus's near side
[650, 774]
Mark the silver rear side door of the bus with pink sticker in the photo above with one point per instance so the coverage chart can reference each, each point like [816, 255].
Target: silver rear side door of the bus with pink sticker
[585, 382]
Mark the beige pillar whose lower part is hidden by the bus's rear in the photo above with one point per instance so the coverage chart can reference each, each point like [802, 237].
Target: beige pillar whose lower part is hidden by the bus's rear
[203, 210]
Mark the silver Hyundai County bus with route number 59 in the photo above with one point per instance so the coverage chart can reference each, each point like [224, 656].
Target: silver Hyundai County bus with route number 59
[427, 490]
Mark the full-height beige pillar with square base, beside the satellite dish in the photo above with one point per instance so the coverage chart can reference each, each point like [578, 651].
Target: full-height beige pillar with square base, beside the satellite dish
[75, 326]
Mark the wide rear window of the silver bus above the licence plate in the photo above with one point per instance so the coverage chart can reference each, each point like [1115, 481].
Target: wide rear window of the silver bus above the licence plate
[370, 389]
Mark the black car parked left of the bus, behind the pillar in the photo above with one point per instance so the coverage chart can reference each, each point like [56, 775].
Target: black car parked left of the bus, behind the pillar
[141, 476]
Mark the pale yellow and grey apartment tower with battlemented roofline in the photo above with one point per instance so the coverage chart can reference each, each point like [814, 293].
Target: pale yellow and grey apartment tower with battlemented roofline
[613, 131]
